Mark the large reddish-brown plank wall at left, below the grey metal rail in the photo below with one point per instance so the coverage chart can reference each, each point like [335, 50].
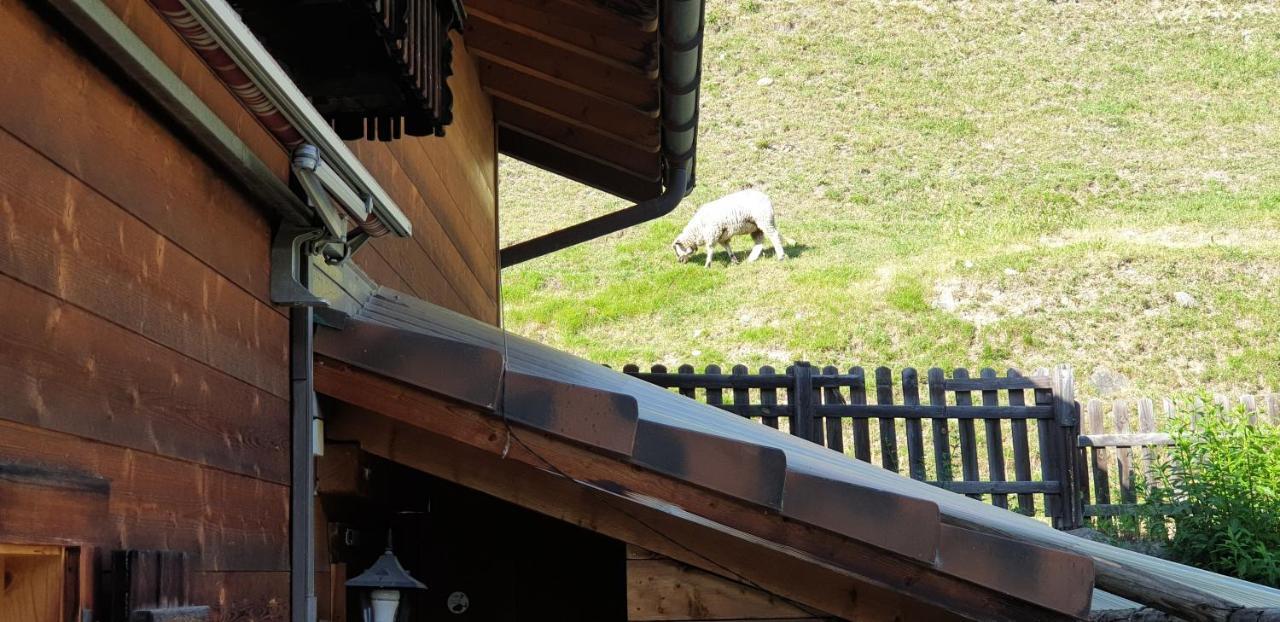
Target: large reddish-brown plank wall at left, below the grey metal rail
[144, 383]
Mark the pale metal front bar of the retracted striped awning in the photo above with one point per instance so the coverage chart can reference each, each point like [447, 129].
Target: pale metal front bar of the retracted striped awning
[225, 26]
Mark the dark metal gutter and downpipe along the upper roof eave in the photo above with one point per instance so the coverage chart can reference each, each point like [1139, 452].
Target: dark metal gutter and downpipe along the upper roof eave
[682, 76]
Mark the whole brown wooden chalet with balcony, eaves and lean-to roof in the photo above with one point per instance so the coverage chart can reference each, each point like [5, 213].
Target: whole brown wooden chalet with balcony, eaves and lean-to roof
[249, 341]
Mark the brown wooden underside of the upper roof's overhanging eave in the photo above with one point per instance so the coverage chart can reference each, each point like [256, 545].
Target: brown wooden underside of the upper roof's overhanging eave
[577, 88]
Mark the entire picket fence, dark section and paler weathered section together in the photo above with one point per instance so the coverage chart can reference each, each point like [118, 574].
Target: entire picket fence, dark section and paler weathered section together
[1030, 445]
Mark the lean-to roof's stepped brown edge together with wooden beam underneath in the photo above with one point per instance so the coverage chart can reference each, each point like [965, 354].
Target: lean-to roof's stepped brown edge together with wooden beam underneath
[639, 450]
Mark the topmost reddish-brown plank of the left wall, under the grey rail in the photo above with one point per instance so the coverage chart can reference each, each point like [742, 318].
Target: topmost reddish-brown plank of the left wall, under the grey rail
[124, 153]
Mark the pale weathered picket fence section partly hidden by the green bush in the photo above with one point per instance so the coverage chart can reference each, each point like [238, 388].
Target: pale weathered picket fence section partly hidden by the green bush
[1122, 441]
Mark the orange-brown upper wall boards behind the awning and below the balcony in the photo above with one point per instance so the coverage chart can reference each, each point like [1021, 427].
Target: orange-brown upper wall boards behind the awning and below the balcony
[447, 187]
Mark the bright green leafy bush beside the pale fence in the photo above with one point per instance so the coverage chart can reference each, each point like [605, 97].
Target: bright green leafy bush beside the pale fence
[1220, 484]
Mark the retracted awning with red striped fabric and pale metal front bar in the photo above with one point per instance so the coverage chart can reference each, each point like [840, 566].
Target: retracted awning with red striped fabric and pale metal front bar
[213, 28]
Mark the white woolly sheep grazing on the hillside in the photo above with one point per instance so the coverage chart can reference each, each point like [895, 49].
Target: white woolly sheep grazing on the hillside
[717, 222]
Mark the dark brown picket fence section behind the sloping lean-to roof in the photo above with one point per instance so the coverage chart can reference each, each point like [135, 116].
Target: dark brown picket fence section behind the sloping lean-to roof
[839, 410]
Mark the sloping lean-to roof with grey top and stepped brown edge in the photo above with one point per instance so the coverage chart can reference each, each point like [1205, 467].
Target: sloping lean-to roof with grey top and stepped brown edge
[799, 479]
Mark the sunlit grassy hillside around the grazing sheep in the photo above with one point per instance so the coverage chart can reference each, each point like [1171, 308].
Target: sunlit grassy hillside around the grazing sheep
[968, 184]
